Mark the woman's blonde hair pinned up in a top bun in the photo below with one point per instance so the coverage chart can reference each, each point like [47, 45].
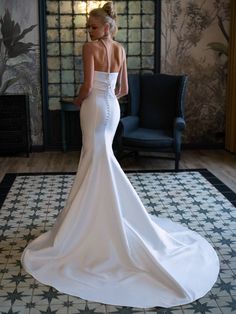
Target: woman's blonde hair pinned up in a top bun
[108, 15]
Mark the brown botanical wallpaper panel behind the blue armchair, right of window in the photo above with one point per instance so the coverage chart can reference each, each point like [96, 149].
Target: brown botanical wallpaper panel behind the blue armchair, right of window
[194, 41]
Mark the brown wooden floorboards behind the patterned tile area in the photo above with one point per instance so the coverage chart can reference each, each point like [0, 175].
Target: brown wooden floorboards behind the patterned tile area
[221, 163]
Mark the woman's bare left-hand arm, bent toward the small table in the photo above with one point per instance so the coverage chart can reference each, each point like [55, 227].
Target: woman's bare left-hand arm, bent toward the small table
[88, 62]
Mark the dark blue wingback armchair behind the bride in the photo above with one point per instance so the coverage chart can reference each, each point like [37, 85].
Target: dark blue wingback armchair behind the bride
[156, 114]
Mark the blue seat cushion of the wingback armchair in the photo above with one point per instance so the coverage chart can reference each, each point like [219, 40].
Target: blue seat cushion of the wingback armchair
[148, 138]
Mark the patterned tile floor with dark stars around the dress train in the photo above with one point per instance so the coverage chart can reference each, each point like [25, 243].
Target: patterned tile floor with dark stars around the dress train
[33, 202]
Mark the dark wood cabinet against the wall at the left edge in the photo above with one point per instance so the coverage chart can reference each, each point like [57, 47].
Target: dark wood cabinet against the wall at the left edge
[14, 124]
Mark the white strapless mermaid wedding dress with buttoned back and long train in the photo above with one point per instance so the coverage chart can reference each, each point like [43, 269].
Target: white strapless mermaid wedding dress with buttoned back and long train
[104, 246]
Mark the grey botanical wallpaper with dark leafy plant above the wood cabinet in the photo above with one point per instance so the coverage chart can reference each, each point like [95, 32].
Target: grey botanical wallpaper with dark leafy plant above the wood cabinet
[19, 57]
